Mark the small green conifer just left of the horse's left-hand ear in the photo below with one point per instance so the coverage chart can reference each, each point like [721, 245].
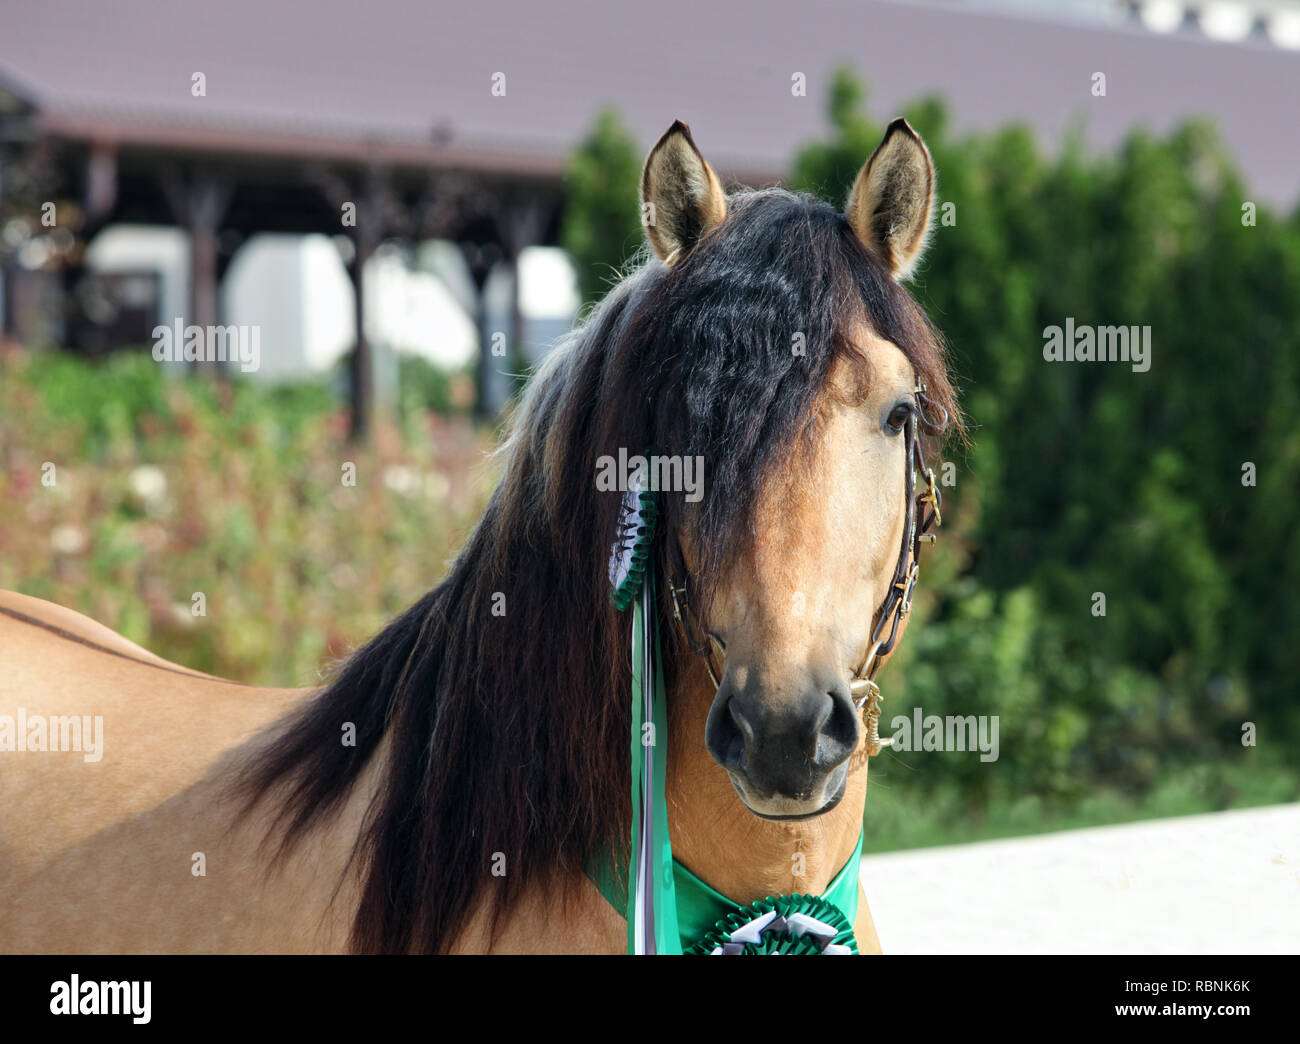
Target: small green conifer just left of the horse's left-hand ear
[603, 228]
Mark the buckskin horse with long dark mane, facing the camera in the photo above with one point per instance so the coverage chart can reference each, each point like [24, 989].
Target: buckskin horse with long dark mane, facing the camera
[448, 789]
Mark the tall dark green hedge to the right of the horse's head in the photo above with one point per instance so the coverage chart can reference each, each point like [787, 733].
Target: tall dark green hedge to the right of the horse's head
[1090, 478]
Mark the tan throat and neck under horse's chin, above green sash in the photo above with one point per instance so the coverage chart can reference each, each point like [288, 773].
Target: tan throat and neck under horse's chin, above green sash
[725, 844]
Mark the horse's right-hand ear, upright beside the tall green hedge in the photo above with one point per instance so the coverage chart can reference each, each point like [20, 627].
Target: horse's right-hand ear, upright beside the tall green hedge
[891, 201]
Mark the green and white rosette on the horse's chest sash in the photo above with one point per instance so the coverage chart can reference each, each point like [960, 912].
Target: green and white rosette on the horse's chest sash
[785, 934]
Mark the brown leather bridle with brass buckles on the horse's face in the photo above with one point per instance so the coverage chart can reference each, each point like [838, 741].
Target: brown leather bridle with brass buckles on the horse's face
[924, 514]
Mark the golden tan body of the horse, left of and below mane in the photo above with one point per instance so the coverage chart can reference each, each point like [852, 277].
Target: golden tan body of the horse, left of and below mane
[142, 844]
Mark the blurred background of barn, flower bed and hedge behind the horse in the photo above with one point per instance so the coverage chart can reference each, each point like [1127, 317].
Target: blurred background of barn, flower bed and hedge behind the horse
[411, 202]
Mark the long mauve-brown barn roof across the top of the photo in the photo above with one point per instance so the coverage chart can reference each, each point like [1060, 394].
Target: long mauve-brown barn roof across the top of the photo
[410, 81]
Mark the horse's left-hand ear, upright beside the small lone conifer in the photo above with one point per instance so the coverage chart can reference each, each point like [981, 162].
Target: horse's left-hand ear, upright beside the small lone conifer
[681, 196]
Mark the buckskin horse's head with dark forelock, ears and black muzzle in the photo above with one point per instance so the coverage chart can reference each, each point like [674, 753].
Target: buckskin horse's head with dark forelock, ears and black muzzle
[795, 601]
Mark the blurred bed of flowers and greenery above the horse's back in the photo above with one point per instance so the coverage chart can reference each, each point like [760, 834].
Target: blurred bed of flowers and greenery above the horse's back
[167, 486]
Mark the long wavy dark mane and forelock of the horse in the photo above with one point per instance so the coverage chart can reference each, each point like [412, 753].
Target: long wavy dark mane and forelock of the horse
[501, 698]
